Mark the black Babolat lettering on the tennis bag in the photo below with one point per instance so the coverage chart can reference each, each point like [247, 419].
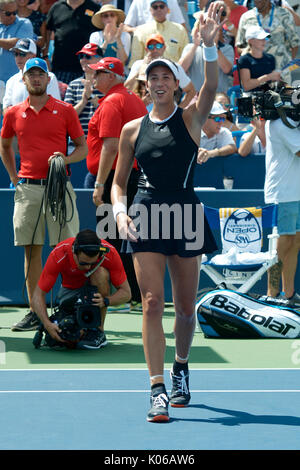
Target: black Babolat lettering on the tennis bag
[221, 302]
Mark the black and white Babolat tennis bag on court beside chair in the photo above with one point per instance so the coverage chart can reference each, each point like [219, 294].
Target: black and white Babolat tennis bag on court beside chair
[223, 313]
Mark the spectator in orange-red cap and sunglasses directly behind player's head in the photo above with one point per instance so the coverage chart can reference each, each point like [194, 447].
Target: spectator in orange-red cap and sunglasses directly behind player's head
[155, 48]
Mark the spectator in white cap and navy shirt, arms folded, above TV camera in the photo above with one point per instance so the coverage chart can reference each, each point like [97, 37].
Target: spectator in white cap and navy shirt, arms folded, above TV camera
[256, 67]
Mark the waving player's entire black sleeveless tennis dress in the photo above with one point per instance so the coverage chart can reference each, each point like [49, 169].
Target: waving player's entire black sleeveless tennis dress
[166, 210]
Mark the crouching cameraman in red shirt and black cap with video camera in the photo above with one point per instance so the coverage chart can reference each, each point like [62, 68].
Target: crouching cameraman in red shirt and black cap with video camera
[89, 267]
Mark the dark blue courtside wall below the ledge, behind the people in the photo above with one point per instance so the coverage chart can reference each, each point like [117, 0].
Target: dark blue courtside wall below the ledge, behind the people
[12, 275]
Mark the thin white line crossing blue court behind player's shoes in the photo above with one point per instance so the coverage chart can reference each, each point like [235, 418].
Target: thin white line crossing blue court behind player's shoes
[146, 391]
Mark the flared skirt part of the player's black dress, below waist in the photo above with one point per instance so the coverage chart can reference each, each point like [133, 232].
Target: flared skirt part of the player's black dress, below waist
[171, 223]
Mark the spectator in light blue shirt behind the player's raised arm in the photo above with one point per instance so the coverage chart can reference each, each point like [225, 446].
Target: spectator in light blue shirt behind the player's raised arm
[193, 63]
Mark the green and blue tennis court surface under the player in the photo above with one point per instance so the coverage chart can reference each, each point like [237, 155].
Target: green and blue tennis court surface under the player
[245, 393]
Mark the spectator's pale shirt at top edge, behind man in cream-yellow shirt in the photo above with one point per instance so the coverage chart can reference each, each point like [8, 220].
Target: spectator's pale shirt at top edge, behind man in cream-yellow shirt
[139, 13]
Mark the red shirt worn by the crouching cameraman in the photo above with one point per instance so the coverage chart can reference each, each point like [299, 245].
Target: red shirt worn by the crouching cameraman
[61, 262]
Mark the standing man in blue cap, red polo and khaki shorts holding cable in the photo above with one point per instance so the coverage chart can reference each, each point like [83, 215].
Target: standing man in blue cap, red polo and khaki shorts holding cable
[42, 125]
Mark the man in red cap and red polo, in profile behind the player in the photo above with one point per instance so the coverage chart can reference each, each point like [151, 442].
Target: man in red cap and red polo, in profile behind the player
[116, 108]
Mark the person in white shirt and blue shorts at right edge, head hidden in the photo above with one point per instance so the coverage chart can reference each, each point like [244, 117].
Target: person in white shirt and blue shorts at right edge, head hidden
[282, 188]
